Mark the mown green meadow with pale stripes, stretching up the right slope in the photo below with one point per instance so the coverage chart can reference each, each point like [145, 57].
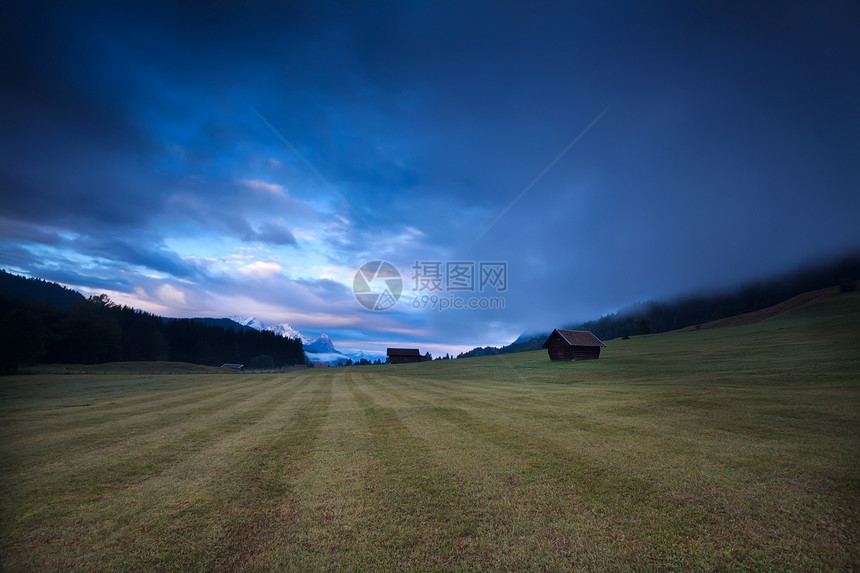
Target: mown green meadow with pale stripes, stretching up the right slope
[731, 449]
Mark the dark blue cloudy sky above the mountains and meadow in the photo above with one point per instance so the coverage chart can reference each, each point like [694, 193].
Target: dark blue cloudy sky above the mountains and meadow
[195, 159]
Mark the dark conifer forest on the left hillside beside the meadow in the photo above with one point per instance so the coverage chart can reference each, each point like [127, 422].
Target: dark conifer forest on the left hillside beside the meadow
[96, 330]
